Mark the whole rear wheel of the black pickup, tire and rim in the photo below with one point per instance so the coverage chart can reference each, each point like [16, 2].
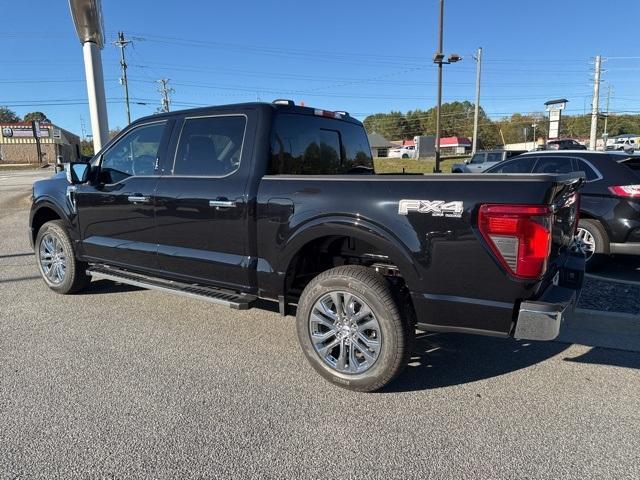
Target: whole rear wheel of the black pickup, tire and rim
[351, 329]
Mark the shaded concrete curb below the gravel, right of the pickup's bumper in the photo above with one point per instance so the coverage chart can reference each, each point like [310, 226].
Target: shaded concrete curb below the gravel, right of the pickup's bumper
[596, 328]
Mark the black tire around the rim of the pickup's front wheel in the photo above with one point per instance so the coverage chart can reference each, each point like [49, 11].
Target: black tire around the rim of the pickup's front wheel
[75, 277]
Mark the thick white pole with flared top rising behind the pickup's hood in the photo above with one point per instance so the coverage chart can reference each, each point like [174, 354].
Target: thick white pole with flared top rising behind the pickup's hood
[87, 17]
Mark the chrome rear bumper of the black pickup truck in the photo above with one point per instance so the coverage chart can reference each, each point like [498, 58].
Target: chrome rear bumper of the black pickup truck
[541, 319]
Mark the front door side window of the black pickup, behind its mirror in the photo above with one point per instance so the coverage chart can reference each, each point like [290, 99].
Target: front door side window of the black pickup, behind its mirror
[134, 154]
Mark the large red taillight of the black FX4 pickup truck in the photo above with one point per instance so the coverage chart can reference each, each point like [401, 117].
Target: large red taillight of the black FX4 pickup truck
[519, 236]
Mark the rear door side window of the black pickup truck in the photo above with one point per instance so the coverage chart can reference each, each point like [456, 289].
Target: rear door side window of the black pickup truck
[210, 146]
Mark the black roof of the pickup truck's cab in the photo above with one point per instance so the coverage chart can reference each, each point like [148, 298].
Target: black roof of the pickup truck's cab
[264, 106]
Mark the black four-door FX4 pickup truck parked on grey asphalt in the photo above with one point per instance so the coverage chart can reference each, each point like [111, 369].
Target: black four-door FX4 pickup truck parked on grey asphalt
[245, 204]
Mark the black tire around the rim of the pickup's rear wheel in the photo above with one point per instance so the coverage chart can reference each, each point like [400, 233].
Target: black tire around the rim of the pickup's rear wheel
[396, 331]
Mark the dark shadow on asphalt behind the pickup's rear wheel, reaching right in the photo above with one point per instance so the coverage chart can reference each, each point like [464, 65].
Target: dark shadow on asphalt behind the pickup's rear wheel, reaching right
[444, 360]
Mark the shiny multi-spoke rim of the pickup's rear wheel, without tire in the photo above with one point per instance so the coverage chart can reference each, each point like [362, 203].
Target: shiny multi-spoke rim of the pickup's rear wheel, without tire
[345, 332]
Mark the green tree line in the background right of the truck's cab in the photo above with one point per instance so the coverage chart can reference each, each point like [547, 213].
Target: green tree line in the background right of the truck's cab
[457, 120]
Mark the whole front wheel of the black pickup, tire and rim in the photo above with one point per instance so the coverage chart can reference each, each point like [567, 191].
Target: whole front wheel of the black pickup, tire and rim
[60, 269]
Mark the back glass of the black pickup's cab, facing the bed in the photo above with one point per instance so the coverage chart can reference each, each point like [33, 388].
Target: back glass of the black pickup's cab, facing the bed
[309, 145]
